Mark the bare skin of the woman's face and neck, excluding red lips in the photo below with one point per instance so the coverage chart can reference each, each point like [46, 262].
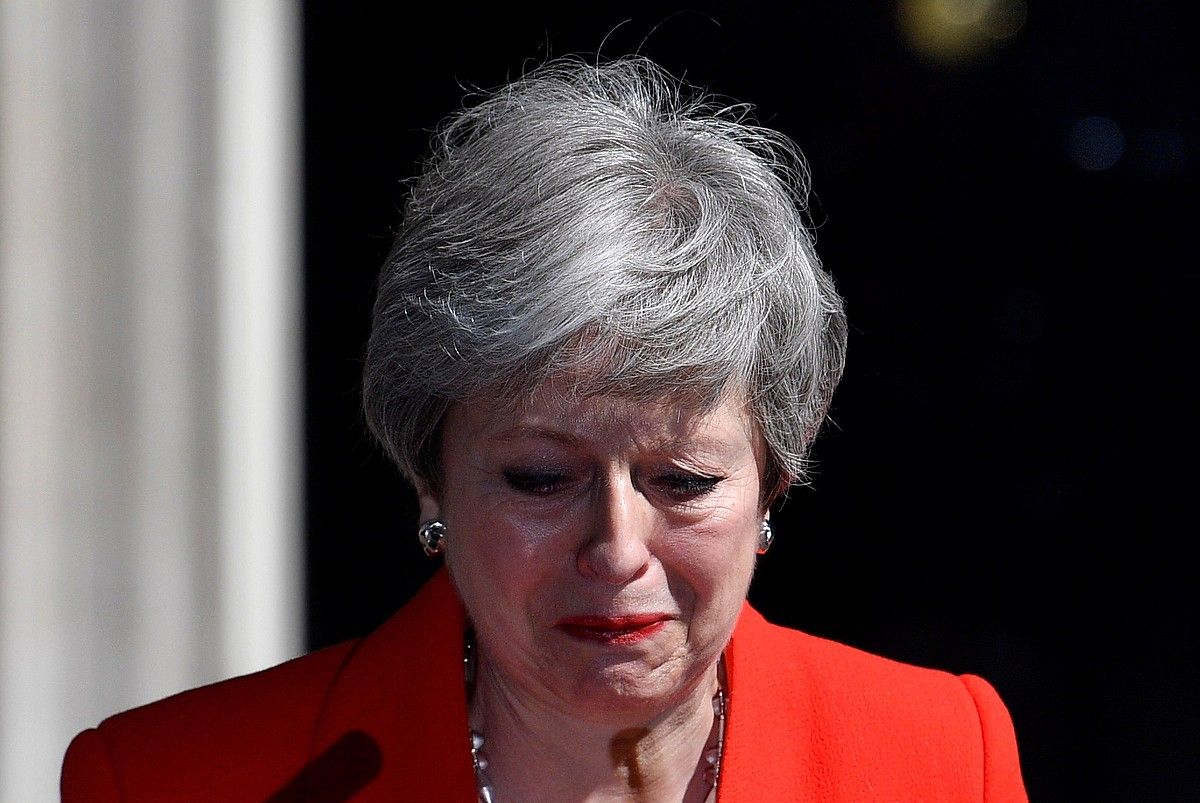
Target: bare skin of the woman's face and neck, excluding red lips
[602, 507]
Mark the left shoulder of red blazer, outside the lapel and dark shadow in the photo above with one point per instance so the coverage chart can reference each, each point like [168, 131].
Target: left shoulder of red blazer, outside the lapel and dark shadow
[249, 733]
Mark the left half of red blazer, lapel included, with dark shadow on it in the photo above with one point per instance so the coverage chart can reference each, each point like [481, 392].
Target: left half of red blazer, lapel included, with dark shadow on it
[385, 714]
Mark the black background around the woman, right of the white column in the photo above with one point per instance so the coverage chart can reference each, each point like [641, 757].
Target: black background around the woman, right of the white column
[1006, 484]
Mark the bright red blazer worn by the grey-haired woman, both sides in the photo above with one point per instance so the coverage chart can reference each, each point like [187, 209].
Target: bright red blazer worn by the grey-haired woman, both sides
[385, 718]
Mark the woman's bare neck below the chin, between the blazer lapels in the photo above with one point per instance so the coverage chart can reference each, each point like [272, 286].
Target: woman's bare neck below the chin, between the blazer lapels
[538, 750]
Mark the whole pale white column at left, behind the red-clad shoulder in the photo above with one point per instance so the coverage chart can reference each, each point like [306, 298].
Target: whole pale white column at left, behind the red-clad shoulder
[149, 350]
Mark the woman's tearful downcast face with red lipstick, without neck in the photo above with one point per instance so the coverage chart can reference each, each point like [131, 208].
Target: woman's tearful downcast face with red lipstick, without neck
[603, 548]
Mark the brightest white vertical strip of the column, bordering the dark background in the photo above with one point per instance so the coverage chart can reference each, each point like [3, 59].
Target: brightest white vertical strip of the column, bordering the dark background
[261, 339]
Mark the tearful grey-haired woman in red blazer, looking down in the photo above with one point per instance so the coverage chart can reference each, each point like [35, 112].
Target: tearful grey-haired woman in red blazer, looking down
[603, 346]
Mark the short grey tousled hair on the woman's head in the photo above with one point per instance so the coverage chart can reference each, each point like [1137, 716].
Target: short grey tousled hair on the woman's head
[610, 225]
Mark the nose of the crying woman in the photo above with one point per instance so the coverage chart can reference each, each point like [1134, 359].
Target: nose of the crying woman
[616, 550]
